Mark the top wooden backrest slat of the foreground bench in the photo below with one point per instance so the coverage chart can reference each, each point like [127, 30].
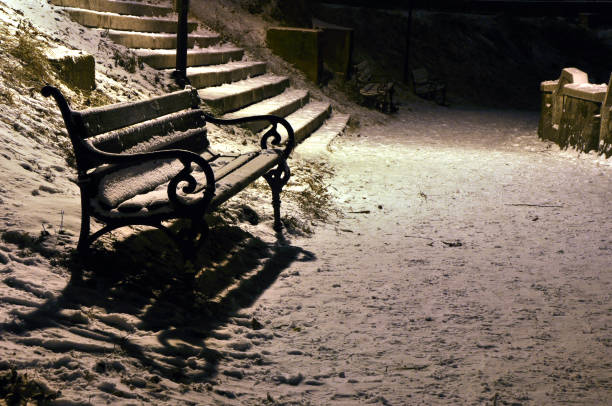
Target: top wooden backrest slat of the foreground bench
[112, 117]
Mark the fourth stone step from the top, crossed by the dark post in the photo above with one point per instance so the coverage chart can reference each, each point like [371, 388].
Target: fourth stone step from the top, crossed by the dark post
[166, 58]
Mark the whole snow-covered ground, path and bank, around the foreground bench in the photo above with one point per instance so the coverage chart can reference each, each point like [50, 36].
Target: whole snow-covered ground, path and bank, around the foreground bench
[468, 263]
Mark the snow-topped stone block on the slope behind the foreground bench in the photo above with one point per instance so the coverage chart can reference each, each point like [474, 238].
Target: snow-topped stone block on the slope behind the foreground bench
[76, 68]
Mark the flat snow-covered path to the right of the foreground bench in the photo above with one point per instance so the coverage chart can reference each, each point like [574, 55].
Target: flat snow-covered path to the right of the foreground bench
[450, 291]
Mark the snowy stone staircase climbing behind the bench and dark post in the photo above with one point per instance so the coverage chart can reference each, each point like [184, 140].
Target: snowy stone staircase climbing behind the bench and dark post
[231, 85]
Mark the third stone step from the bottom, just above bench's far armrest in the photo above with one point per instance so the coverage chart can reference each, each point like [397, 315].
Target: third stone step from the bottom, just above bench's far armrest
[282, 105]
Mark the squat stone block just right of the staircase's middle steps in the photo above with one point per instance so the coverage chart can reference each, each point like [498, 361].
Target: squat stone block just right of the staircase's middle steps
[298, 46]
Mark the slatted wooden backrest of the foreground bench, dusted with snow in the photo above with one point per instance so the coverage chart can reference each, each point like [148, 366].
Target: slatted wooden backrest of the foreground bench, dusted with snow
[169, 121]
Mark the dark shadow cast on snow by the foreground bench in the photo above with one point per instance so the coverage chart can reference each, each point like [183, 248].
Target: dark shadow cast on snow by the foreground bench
[144, 277]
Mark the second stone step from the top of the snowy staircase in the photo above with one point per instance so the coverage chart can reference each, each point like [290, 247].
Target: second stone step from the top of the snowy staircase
[96, 19]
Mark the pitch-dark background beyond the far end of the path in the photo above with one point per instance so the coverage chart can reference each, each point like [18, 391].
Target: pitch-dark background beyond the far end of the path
[489, 53]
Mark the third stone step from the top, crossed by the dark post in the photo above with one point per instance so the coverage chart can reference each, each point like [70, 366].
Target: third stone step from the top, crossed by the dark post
[151, 40]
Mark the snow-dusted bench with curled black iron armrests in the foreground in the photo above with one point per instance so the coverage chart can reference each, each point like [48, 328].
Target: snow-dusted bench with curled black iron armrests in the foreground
[146, 162]
